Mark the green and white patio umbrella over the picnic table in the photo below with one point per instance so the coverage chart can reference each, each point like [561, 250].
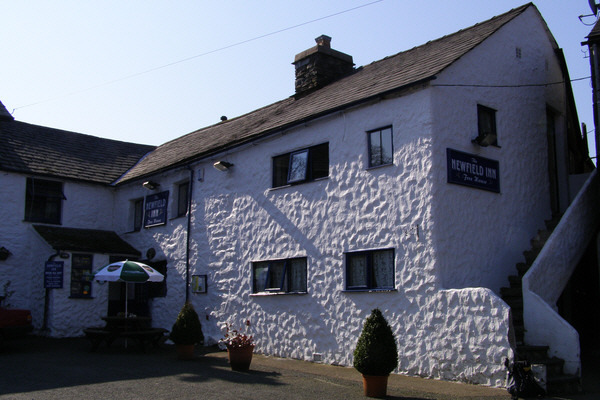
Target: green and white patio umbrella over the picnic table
[129, 272]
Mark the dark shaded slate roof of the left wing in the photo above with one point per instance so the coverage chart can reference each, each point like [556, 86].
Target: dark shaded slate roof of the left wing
[34, 149]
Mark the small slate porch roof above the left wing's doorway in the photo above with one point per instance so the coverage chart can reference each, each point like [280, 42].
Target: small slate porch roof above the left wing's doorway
[85, 240]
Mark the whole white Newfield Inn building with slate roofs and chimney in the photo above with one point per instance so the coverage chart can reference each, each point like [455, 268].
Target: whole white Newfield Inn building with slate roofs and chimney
[413, 184]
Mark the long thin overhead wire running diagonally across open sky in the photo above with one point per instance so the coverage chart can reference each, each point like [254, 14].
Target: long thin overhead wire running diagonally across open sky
[199, 55]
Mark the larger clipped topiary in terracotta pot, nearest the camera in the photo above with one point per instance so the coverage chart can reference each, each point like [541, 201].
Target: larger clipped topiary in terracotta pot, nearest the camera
[376, 354]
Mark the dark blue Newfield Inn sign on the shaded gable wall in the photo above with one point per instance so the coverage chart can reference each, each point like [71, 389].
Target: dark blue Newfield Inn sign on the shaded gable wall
[472, 170]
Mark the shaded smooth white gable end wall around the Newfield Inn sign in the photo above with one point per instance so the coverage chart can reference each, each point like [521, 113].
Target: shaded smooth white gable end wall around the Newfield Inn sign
[483, 234]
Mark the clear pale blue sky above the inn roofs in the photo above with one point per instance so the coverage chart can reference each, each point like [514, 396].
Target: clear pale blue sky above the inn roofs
[151, 71]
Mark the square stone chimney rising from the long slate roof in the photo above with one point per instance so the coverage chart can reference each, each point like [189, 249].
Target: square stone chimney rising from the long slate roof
[319, 66]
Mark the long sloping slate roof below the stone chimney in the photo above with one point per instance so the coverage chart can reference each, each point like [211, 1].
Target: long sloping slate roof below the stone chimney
[380, 78]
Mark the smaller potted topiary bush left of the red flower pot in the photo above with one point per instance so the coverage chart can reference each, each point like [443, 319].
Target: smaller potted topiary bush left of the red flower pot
[186, 332]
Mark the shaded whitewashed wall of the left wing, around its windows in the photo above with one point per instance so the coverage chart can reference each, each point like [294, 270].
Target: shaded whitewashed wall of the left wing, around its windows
[87, 206]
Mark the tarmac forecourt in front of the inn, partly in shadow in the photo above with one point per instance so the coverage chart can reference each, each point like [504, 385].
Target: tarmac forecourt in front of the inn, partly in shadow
[42, 368]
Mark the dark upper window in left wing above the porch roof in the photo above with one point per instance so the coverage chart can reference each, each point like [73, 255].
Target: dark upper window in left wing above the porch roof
[43, 201]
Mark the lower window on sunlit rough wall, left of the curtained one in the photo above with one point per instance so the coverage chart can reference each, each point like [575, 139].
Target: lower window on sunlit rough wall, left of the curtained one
[285, 276]
